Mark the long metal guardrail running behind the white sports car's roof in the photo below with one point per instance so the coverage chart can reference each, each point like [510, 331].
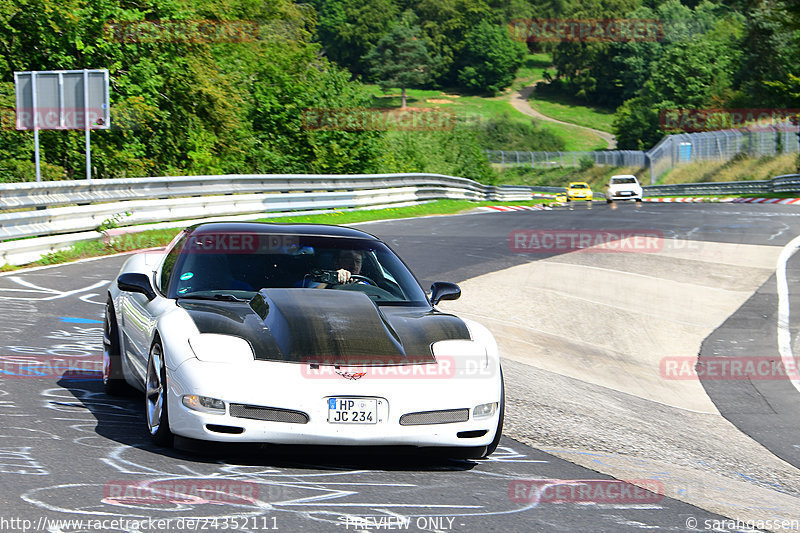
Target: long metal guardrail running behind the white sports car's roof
[41, 217]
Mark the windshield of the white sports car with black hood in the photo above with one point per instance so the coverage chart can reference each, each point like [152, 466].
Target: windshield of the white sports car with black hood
[221, 266]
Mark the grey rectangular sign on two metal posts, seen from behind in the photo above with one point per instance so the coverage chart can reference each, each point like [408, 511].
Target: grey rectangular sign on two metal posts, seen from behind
[62, 100]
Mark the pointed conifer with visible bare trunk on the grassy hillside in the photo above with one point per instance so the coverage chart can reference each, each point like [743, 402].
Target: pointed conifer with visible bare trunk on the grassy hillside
[400, 59]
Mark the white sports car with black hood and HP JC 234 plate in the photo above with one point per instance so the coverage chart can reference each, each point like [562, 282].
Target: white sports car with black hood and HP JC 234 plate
[298, 334]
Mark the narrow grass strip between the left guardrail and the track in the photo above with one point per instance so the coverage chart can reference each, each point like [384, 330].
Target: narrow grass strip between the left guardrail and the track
[158, 238]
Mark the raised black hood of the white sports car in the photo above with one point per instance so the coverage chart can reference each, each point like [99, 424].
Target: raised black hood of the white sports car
[327, 327]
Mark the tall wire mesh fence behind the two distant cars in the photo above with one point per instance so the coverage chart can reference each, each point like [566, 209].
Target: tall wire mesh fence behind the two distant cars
[670, 152]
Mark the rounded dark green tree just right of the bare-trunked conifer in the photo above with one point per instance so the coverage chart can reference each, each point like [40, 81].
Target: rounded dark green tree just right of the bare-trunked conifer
[490, 59]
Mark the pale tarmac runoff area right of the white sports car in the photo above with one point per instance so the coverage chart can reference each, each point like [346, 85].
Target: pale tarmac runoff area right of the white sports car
[583, 335]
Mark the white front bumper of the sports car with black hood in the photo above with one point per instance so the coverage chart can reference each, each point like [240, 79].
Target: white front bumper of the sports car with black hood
[295, 387]
